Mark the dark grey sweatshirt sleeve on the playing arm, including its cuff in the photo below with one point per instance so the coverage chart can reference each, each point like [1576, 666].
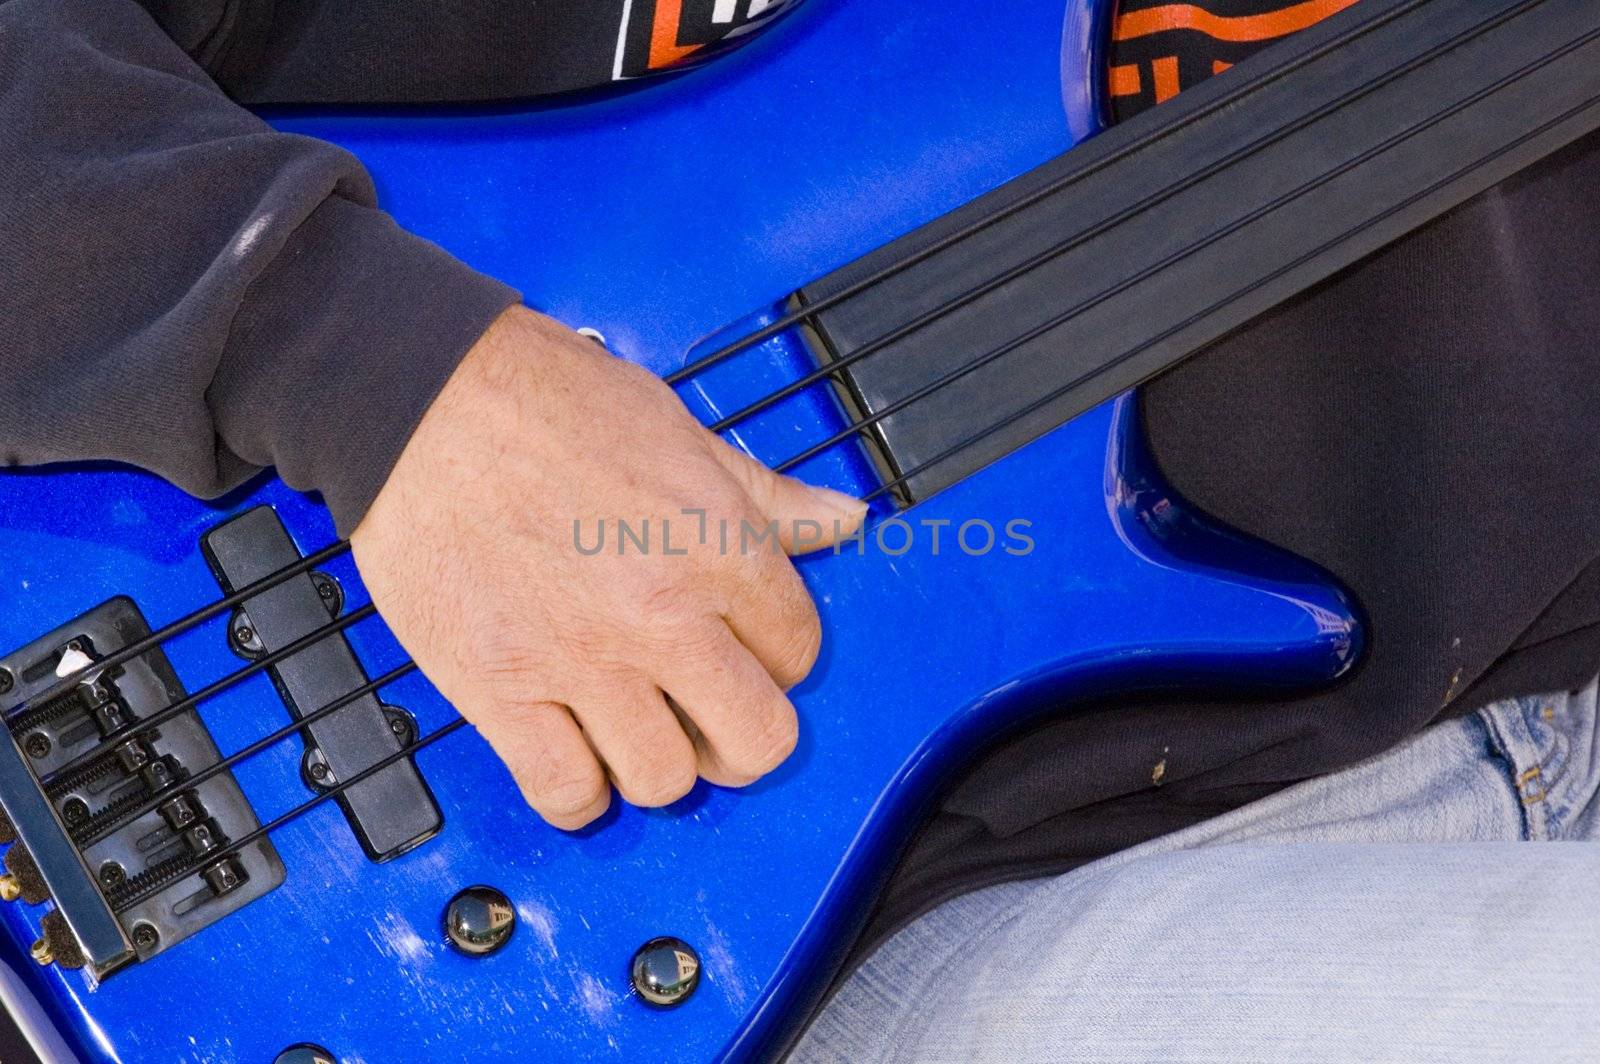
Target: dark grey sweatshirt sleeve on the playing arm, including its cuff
[188, 290]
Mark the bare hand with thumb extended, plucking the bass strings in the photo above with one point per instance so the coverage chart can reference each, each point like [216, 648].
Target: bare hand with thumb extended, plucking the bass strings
[562, 660]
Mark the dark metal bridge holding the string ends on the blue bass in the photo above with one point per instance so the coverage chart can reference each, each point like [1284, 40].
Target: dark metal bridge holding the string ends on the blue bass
[127, 881]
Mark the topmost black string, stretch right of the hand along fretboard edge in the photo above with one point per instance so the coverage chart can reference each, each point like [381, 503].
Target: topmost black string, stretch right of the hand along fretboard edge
[1057, 185]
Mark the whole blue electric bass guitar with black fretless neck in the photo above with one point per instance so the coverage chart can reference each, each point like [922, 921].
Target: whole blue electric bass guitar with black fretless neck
[860, 247]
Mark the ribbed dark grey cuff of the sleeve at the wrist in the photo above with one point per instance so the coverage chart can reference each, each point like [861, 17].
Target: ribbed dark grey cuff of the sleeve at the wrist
[340, 348]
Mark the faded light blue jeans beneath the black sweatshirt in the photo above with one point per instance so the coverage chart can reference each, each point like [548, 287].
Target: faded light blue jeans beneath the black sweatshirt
[1388, 913]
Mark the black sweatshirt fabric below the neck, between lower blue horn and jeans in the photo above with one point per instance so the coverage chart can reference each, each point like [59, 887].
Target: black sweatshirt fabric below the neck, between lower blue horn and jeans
[1426, 428]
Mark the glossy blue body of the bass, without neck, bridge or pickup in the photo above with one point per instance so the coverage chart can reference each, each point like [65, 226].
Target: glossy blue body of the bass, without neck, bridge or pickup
[662, 217]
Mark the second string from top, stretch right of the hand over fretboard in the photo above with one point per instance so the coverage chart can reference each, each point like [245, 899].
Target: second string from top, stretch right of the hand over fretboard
[1057, 250]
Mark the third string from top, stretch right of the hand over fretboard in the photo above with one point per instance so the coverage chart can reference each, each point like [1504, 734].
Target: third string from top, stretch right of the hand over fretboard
[1166, 263]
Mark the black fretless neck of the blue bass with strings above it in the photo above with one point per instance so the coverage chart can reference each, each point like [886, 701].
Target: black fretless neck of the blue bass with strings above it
[1103, 268]
